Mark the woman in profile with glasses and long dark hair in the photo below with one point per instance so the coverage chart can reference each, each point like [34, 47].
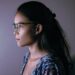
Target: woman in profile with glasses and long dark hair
[35, 26]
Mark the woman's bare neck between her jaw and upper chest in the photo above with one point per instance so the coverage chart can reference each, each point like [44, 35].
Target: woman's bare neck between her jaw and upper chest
[35, 51]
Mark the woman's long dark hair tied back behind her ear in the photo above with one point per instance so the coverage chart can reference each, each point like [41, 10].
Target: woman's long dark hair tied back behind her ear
[52, 37]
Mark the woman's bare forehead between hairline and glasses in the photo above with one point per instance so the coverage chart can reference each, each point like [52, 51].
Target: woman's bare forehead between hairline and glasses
[20, 18]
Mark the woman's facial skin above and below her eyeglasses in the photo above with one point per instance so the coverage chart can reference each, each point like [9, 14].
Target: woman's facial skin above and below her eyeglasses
[22, 35]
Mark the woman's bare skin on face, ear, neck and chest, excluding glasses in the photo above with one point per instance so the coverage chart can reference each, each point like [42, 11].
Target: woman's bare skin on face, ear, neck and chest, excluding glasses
[23, 38]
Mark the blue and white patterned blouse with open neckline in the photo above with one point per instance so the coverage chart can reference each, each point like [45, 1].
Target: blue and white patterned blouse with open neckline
[48, 65]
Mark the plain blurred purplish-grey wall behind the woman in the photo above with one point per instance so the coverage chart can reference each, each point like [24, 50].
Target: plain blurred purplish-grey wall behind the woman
[11, 56]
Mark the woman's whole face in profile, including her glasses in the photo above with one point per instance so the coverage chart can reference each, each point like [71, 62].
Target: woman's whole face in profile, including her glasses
[22, 30]
